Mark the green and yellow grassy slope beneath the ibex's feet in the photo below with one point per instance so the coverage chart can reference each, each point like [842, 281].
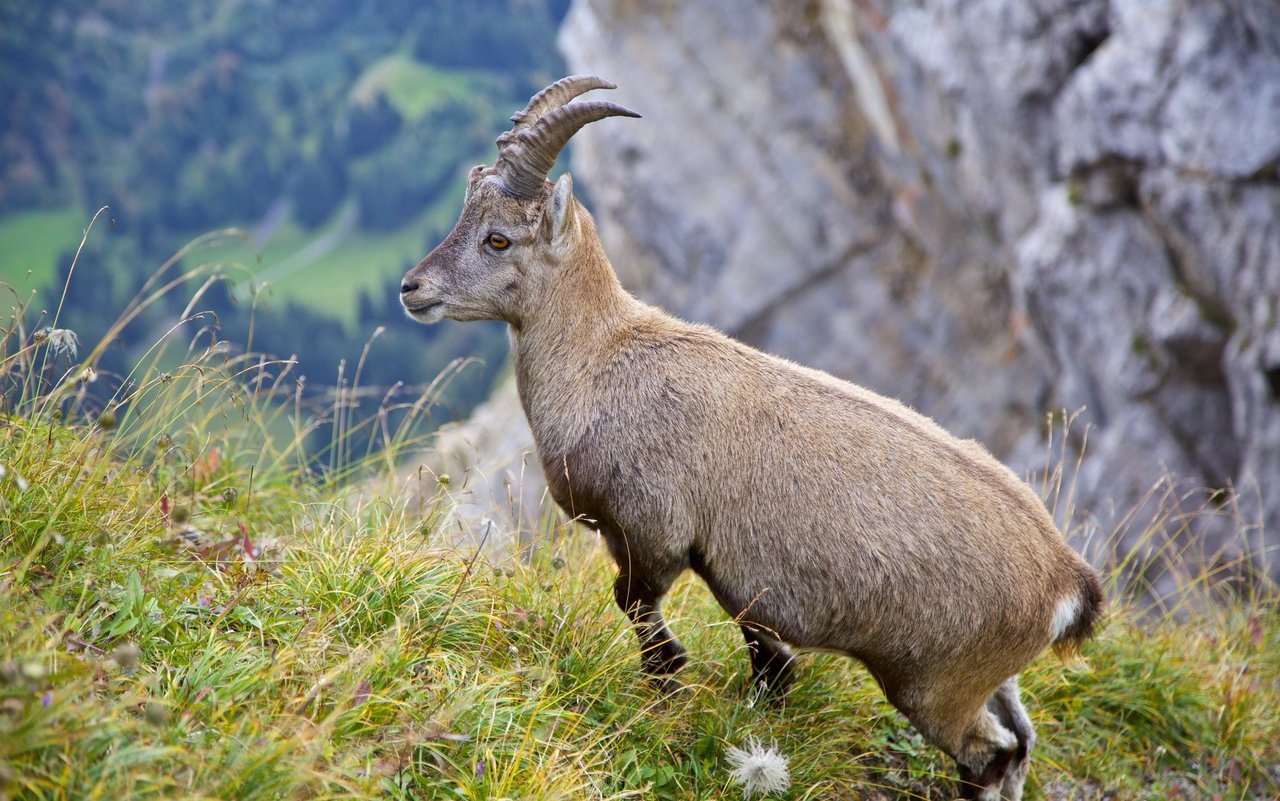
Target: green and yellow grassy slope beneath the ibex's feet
[359, 657]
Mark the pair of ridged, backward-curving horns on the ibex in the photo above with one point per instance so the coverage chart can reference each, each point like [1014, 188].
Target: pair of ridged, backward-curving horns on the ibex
[529, 150]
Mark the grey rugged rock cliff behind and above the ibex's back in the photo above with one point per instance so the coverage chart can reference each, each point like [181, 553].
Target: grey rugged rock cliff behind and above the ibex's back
[990, 209]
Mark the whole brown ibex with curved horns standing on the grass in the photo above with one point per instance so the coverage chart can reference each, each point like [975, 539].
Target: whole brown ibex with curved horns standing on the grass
[820, 514]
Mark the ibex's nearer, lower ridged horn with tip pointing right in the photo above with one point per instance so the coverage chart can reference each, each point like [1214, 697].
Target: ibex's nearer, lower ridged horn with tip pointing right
[527, 154]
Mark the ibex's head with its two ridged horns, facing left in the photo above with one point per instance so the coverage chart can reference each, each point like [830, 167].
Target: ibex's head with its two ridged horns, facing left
[516, 227]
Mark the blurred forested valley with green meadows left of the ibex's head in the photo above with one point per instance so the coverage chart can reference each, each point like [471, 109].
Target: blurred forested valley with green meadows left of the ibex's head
[336, 135]
